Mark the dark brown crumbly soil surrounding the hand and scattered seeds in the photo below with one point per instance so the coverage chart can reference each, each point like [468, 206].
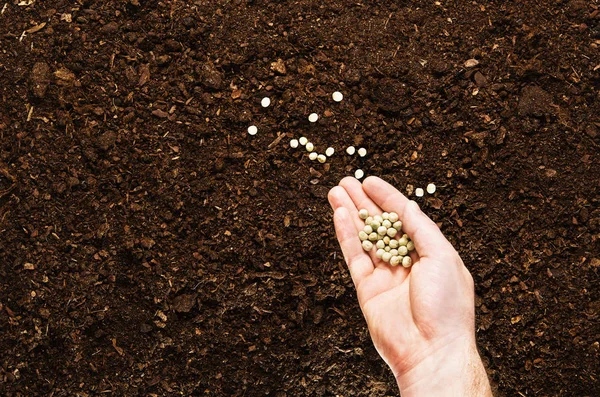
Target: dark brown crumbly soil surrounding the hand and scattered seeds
[149, 246]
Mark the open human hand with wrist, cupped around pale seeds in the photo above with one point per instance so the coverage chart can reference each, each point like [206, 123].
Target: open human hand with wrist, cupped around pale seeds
[421, 319]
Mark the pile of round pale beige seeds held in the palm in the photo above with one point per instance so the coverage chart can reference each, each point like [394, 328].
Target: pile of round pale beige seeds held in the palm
[380, 231]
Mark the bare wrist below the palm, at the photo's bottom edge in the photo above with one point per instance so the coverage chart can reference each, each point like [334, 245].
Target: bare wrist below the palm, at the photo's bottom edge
[455, 369]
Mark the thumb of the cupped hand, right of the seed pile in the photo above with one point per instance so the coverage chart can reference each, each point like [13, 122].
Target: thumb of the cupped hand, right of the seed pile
[428, 238]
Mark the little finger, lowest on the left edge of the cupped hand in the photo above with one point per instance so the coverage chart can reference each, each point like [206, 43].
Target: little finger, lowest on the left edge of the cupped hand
[358, 261]
